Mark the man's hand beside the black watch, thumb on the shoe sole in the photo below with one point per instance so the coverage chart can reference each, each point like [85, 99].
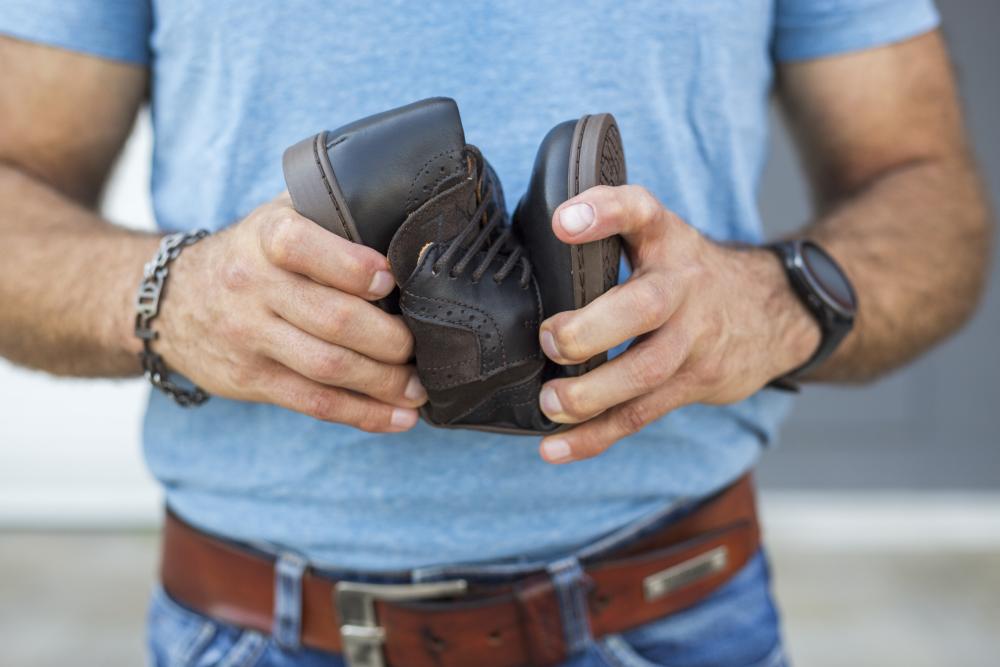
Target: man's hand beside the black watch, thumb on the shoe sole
[713, 324]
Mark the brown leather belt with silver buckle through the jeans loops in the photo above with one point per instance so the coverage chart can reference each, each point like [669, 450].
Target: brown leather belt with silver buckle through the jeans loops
[451, 624]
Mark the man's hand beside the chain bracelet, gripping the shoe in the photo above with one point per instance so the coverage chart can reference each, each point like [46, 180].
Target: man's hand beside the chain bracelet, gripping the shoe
[277, 309]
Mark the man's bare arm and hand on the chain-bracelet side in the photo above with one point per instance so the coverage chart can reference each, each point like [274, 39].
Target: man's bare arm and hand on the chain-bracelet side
[273, 309]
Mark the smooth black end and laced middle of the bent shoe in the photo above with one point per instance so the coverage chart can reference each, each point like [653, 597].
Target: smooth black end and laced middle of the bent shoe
[405, 183]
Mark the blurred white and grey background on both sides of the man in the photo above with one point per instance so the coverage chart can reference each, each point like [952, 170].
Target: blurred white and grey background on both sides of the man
[881, 505]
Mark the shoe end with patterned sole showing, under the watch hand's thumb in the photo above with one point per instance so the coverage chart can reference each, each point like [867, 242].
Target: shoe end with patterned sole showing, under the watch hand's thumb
[574, 156]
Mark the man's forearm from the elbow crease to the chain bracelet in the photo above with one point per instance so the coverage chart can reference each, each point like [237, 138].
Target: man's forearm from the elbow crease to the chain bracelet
[67, 282]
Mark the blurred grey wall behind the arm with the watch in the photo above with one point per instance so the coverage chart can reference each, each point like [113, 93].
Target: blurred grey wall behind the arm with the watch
[936, 423]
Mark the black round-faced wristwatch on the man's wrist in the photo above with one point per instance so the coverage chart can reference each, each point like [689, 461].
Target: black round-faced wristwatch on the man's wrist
[825, 291]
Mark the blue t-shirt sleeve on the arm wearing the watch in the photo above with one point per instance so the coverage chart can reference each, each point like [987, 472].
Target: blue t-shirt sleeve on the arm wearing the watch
[806, 29]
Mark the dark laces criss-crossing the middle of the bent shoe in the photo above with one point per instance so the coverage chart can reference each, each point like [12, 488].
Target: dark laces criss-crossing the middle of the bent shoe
[493, 235]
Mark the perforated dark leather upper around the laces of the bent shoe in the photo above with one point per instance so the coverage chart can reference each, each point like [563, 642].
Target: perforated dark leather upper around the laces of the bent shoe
[476, 340]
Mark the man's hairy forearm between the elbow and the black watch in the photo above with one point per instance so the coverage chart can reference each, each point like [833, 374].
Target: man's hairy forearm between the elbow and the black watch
[915, 243]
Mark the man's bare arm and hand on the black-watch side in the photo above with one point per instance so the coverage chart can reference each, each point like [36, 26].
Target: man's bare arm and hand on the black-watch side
[901, 208]
